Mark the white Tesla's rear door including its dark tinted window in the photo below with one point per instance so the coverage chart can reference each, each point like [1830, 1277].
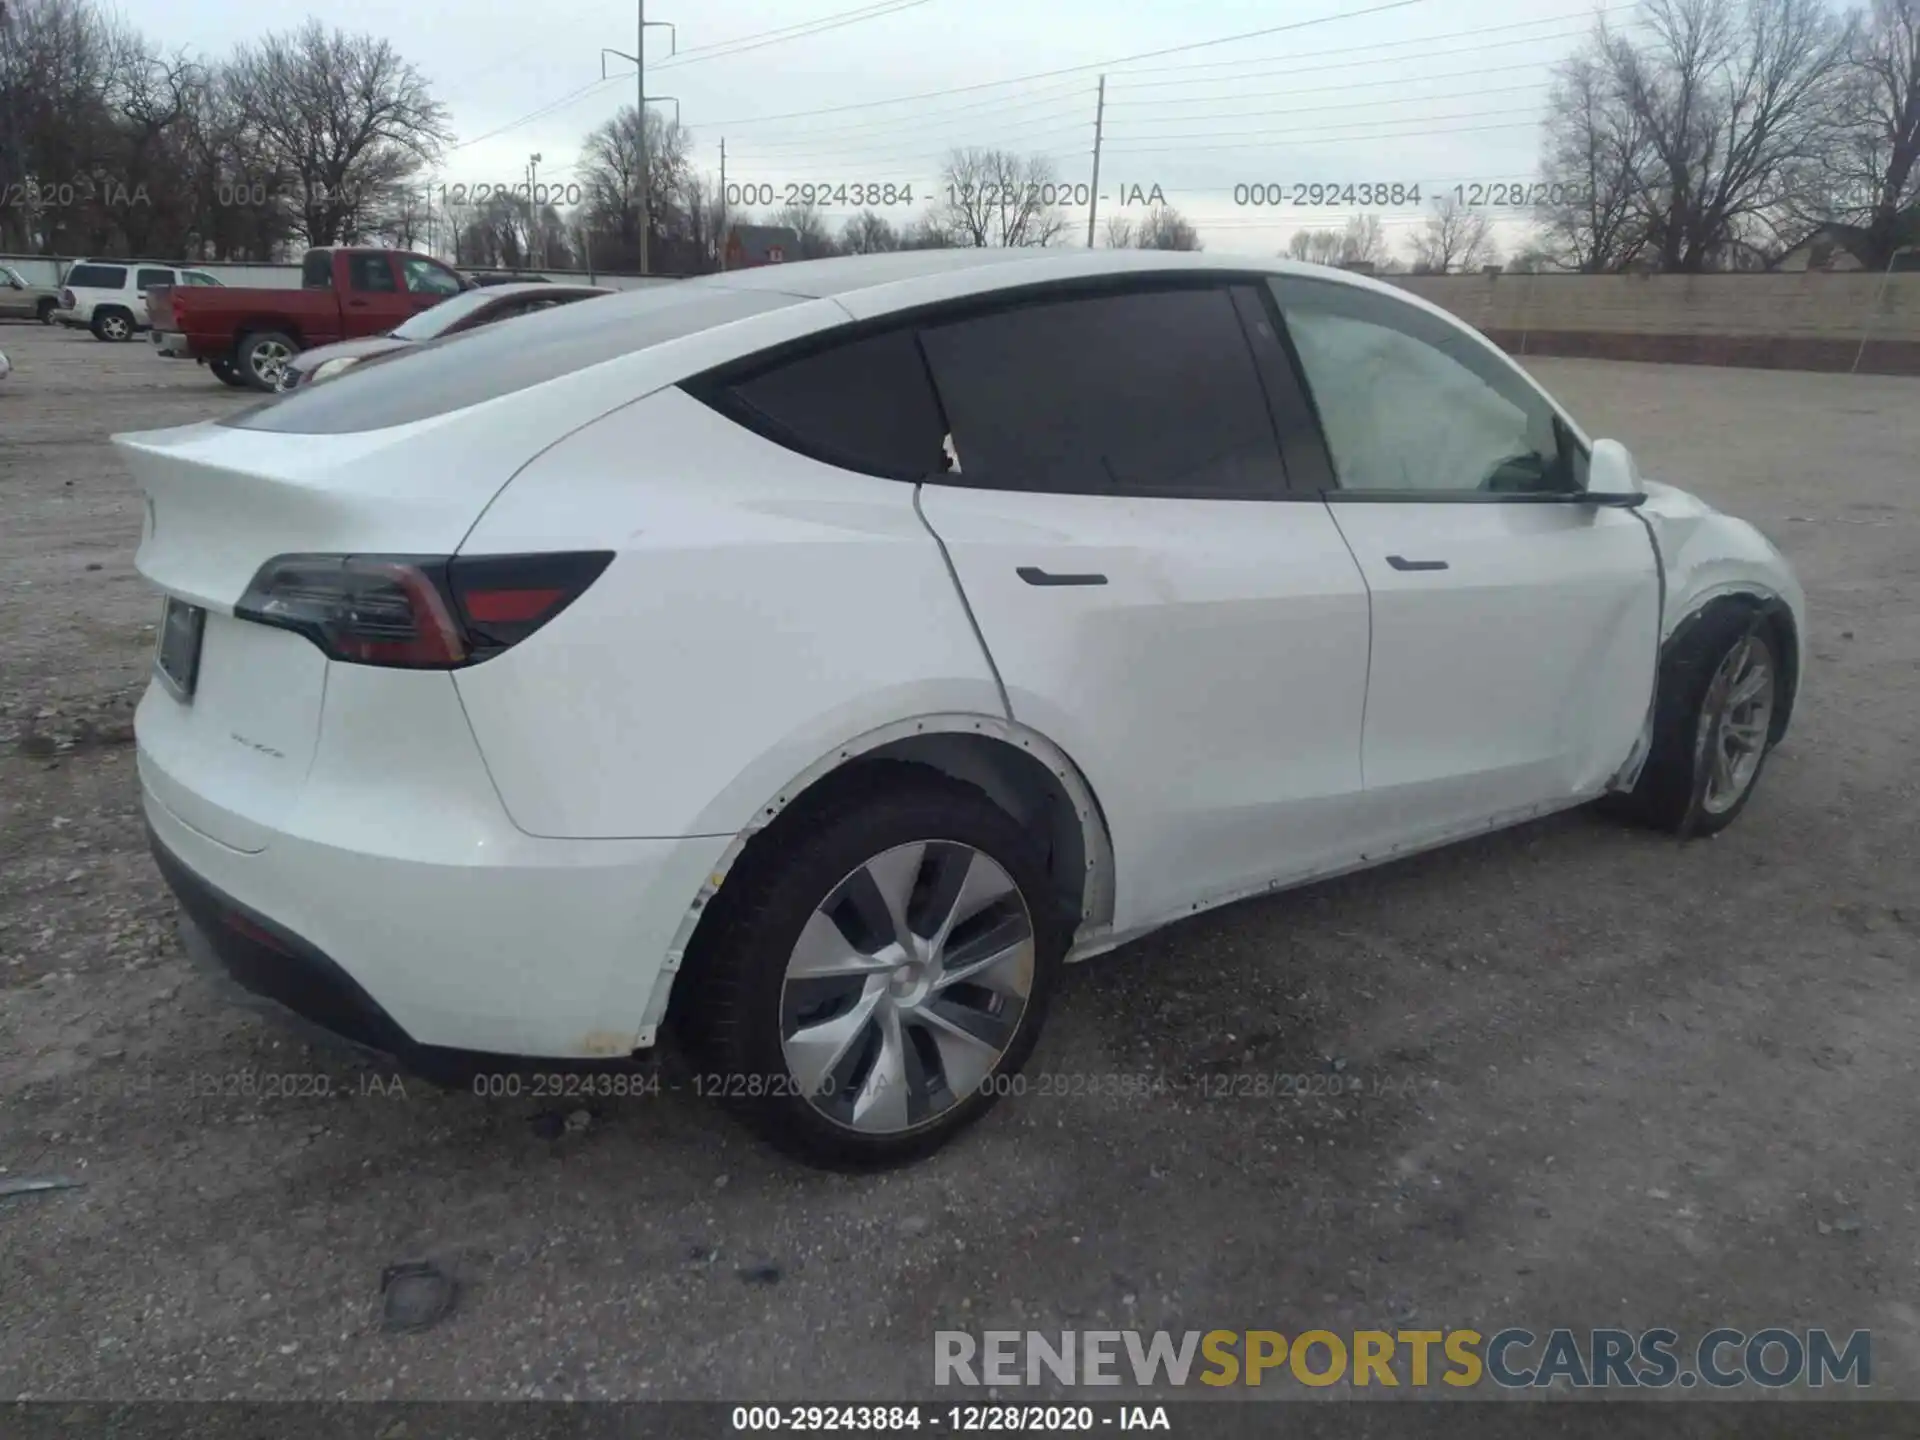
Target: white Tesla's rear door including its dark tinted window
[1153, 594]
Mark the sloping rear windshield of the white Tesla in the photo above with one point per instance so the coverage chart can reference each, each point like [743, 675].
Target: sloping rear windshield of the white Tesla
[464, 370]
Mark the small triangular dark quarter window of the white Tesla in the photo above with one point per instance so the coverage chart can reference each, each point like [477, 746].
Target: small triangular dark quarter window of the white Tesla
[863, 404]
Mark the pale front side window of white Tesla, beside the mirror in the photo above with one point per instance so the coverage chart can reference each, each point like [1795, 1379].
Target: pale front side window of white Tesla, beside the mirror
[1410, 404]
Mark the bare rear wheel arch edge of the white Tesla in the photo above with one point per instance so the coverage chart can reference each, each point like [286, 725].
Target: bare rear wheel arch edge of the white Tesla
[1019, 769]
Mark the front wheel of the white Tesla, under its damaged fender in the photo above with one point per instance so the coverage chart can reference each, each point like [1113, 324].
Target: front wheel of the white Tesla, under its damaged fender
[1679, 788]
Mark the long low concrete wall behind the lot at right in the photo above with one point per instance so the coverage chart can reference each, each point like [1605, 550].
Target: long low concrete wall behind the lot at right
[1808, 322]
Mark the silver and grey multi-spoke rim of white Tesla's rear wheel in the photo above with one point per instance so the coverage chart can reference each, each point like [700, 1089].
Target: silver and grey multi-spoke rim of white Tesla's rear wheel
[907, 988]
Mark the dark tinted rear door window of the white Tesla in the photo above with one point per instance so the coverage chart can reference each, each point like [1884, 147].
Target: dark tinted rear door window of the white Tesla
[1141, 395]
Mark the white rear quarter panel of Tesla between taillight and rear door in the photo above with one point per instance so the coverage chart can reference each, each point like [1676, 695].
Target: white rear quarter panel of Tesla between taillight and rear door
[761, 612]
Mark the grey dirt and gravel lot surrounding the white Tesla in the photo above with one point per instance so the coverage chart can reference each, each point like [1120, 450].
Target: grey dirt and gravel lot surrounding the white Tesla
[1595, 1078]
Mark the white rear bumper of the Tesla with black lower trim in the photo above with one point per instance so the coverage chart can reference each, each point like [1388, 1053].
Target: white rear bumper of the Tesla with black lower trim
[427, 926]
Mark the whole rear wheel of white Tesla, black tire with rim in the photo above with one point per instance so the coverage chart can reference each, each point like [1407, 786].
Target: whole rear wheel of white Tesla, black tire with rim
[898, 1086]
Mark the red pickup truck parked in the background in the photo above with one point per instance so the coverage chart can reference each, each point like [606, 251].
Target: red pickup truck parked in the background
[247, 335]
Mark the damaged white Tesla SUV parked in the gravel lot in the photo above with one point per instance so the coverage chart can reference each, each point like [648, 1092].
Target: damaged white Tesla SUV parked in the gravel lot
[813, 660]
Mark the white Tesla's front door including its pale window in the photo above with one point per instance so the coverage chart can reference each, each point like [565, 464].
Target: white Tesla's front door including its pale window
[1516, 629]
